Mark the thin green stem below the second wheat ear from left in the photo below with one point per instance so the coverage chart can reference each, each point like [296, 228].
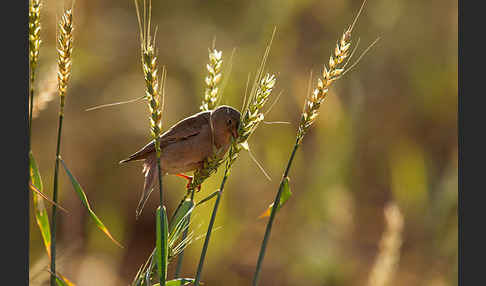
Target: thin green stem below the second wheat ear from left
[54, 197]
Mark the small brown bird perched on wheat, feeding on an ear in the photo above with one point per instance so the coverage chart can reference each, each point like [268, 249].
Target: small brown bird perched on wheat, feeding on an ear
[186, 145]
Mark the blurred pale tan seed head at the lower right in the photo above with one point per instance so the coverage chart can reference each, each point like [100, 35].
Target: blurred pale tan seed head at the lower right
[391, 241]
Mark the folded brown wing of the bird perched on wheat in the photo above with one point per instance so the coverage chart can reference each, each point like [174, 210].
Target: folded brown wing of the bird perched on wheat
[182, 130]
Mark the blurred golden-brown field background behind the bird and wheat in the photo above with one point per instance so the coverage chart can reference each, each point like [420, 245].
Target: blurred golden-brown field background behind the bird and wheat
[386, 134]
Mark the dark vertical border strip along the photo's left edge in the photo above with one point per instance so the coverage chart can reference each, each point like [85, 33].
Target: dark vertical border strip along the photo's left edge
[15, 195]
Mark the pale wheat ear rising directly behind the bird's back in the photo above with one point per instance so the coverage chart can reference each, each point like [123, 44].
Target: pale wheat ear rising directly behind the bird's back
[212, 81]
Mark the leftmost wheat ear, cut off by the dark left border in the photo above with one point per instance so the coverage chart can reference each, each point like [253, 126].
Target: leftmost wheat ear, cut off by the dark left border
[34, 35]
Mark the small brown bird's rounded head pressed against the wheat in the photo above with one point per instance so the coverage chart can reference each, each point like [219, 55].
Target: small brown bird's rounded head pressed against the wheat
[226, 119]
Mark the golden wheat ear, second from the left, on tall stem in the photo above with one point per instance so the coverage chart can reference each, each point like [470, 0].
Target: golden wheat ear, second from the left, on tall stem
[64, 50]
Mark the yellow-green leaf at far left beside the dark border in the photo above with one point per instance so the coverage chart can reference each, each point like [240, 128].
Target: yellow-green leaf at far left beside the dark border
[40, 211]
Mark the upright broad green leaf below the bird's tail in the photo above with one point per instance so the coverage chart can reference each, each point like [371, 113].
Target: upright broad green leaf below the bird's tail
[161, 242]
